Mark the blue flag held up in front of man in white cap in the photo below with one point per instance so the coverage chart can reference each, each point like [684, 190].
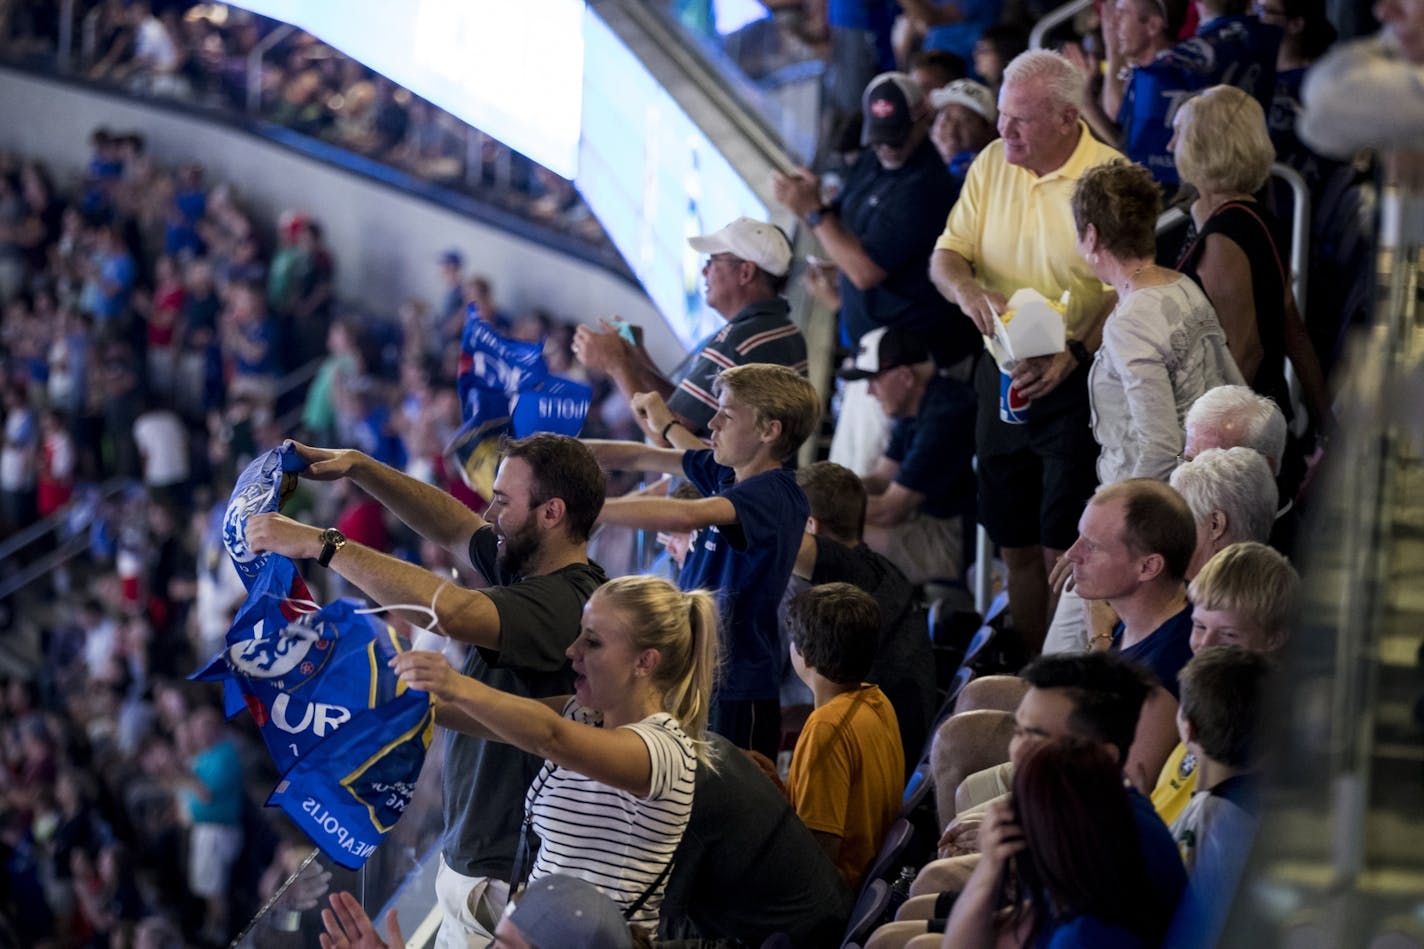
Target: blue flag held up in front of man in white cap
[505, 388]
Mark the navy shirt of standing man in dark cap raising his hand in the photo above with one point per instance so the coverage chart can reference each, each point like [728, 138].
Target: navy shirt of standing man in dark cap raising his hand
[898, 217]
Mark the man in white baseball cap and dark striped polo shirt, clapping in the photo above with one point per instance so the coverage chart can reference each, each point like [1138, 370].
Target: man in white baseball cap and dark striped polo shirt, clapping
[744, 277]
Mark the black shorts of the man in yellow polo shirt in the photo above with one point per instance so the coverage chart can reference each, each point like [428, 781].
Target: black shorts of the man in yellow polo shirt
[1035, 479]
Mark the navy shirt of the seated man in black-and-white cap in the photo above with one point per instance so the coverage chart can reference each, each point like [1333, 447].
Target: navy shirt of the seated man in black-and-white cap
[936, 448]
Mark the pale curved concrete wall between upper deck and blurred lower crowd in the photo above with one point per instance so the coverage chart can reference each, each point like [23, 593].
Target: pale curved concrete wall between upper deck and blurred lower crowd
[385, 242]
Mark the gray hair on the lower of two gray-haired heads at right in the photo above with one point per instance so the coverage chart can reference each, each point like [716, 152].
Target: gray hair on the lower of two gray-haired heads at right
[1235, 482]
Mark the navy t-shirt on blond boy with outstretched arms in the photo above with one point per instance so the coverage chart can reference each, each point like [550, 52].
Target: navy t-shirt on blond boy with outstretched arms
[747, 565]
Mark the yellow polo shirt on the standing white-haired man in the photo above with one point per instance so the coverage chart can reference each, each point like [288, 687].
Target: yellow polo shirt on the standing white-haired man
[1017, 229]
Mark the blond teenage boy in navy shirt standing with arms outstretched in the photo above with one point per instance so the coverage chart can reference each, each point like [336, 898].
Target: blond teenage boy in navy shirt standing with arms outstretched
[750, 525]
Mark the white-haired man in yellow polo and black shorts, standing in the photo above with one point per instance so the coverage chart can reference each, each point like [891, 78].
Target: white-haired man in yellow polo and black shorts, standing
[1012, 229]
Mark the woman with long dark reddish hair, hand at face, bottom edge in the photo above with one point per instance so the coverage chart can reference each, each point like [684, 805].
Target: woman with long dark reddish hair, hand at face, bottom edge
[1063, 854]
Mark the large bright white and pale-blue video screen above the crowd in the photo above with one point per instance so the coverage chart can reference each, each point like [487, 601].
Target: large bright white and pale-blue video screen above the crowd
[550, 79]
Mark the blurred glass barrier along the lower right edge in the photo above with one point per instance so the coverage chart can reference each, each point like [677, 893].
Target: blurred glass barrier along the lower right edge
[1339, 857]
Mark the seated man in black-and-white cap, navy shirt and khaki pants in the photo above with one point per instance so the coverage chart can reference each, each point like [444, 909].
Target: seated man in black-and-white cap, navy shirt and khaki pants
[922, 488]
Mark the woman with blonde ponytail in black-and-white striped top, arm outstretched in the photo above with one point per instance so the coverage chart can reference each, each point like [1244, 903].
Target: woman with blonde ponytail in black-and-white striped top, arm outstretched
[622, 753]
